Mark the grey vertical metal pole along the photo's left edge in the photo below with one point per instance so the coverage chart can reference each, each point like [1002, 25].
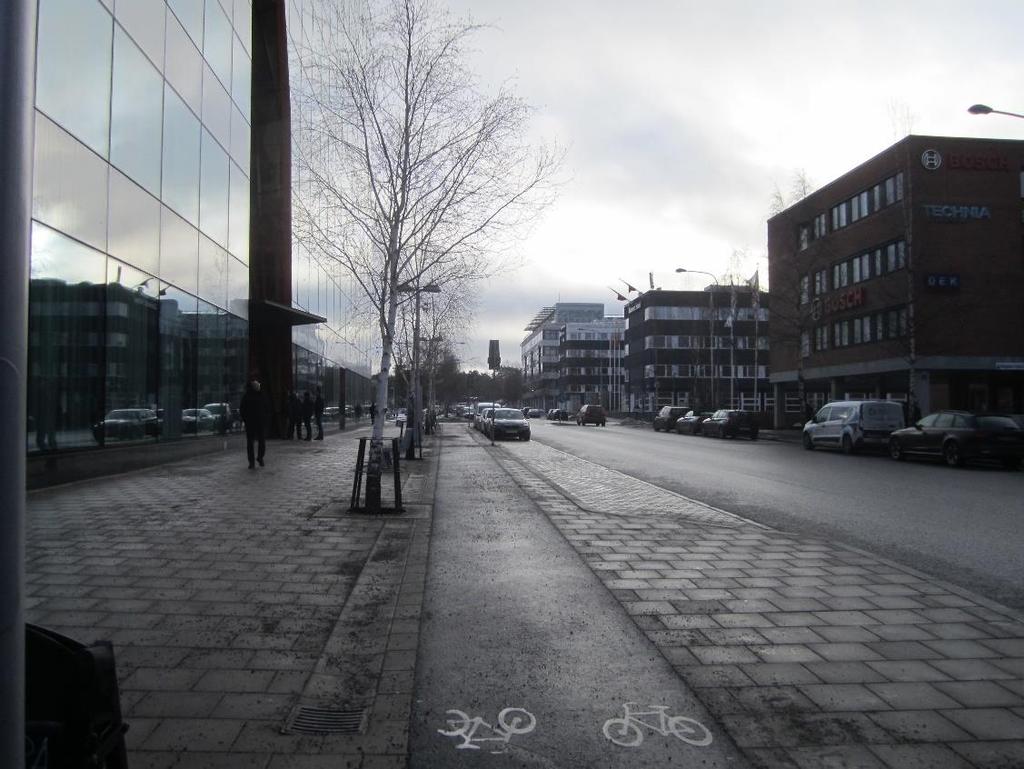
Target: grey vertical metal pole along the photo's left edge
[18, 55]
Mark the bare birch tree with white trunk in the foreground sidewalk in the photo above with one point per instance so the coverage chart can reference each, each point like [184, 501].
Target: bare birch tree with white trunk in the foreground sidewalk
[410, 175]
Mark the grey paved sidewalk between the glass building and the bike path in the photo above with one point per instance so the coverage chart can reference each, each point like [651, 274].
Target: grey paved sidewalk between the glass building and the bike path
[235, 596]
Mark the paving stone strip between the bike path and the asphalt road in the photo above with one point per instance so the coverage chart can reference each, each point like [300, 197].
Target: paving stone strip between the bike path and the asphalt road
[810, 654]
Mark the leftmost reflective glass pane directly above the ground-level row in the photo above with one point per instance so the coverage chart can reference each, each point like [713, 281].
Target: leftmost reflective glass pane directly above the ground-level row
[70, 185]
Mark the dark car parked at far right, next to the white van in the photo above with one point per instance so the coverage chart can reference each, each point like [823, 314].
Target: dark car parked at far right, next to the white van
[961, 437]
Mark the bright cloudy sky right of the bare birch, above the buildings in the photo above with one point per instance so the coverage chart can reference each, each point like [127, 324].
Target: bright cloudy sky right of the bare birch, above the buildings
[680, 118]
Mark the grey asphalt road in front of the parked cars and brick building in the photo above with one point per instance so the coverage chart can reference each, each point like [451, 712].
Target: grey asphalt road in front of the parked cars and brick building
[964, 526]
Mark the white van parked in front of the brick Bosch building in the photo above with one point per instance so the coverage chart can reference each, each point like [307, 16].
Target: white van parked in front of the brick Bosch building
[852, 425]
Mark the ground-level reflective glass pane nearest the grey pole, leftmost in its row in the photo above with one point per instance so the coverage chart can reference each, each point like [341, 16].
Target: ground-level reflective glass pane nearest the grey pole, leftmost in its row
[66, 335]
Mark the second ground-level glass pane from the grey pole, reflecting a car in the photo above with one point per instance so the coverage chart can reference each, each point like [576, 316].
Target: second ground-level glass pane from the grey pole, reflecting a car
[133, 350]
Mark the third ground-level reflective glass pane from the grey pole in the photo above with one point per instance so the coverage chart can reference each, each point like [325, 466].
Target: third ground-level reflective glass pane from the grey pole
[178, 345]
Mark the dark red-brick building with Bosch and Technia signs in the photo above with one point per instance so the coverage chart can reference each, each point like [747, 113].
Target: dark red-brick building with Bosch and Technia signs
[900, 280]
